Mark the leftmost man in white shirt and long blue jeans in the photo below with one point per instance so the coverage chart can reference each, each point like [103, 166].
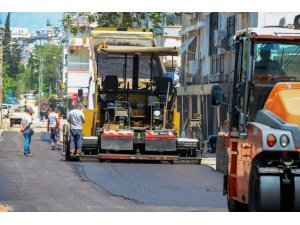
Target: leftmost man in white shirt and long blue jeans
[26, 129]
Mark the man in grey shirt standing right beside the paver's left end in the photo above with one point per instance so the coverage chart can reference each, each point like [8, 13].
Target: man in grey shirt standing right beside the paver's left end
[76, 120]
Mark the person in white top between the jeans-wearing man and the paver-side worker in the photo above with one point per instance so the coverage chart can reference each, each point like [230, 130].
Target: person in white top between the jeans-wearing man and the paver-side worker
[53, 126]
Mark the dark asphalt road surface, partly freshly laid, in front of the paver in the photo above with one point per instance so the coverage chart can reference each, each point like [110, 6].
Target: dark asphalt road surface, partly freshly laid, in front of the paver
[46, 183]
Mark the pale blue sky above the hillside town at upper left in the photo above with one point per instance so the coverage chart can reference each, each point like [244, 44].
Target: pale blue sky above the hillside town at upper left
[32, 20]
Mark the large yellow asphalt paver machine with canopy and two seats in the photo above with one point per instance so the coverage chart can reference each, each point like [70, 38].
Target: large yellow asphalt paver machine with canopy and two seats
[134, 115]
